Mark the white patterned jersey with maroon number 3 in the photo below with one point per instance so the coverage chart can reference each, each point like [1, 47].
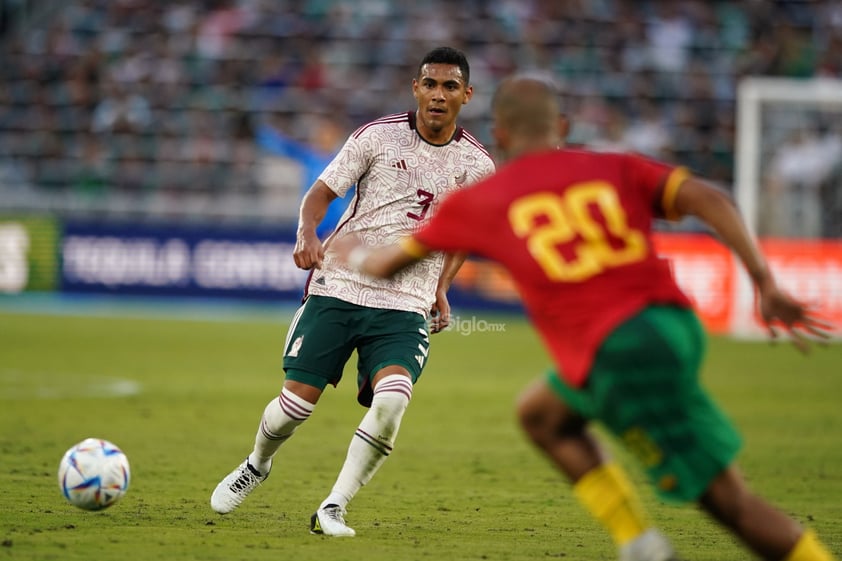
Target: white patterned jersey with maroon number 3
[400, 179]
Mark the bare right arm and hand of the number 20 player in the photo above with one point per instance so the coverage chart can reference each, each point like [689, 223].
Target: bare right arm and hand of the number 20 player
[717, 209]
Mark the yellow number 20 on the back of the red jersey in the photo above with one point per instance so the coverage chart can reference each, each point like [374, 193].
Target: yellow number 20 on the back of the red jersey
[547, 220]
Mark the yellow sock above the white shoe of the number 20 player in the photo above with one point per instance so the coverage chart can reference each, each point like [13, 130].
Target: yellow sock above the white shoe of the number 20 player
[609, 496]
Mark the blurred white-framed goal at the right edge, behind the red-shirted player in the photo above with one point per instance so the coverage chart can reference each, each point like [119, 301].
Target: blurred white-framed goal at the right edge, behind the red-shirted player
[789, 188]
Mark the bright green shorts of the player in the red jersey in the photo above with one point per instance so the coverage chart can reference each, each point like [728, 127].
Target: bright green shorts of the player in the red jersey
[644, 387]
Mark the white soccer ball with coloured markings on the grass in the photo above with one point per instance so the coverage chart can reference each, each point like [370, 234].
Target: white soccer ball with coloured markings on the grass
[93, 474]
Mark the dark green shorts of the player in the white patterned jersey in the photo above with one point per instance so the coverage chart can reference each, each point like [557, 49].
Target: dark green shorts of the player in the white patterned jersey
[325, 332]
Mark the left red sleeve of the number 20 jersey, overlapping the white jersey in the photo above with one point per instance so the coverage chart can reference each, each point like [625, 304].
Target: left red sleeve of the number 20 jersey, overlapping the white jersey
[452, 228]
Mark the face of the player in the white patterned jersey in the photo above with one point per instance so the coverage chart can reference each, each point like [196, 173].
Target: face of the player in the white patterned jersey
[441, 92]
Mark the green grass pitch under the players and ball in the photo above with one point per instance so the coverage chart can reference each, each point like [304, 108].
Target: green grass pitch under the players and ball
[462, 483]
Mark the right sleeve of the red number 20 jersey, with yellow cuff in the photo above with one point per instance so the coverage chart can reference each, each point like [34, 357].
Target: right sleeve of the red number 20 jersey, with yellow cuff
[658, 182]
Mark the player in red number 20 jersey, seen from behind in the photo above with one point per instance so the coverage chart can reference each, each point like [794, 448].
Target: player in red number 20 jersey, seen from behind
[574, 230]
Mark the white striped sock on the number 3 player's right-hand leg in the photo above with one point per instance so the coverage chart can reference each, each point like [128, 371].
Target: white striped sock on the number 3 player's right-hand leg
[374, 438]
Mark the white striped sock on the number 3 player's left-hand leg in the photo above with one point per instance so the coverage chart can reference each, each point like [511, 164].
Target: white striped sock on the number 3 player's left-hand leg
[280, 419]
